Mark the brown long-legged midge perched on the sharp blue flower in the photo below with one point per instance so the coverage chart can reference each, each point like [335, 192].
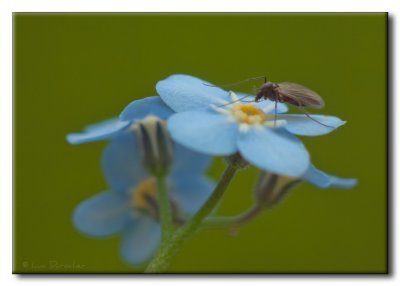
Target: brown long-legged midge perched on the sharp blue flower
[285, 92]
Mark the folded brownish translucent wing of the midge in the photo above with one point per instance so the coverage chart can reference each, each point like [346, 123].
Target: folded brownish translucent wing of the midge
[300, 95]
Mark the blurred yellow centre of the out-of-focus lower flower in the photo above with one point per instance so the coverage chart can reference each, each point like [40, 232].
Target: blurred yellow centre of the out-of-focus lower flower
[145, 196]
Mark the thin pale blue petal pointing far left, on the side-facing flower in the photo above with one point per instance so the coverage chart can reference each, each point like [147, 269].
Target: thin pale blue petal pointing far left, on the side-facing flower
[96, 132]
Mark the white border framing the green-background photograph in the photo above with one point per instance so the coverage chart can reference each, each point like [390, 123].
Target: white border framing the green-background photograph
[9, 6]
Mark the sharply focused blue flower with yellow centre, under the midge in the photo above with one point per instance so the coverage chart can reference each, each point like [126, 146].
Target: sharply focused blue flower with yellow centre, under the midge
[216, 122]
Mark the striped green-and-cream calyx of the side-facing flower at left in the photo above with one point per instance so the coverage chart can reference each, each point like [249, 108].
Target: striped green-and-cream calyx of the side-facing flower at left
[155, 144]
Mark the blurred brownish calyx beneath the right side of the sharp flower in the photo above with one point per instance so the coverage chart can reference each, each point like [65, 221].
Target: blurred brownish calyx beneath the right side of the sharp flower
[272, 188]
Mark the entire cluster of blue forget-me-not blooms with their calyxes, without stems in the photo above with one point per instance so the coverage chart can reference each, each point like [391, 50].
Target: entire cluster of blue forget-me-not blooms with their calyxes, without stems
[174, 135]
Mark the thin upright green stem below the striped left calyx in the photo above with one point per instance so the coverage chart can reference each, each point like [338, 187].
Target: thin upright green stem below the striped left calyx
[166, 218]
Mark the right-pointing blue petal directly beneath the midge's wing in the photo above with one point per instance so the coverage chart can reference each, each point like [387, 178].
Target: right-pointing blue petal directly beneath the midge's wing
[300, 124]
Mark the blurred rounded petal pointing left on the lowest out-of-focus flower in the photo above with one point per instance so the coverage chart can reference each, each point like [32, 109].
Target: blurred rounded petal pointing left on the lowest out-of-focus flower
[103, 214]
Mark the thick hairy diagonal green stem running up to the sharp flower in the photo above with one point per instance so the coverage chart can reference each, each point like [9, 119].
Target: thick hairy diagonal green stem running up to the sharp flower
[169, 249]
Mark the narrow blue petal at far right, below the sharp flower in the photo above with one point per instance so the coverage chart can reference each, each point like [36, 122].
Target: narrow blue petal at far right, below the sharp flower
[323, 180]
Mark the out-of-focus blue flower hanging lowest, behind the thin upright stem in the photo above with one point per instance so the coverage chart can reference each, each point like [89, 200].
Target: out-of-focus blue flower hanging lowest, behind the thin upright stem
[131, 207]
